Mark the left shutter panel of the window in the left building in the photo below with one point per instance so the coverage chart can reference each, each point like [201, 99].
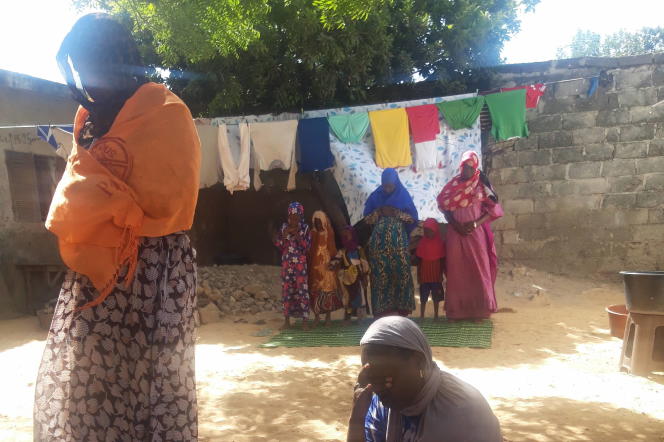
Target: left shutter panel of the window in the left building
[23, 186]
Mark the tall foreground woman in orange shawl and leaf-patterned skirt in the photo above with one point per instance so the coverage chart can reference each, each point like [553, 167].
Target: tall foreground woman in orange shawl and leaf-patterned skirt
[119, 357]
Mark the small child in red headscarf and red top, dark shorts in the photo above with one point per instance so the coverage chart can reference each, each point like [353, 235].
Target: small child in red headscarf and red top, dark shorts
[430, 264]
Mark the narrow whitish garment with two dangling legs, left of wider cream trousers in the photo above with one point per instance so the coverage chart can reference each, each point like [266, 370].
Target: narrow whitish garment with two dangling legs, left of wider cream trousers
[235, 167]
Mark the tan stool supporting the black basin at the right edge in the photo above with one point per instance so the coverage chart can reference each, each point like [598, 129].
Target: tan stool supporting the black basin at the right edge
[643, 345]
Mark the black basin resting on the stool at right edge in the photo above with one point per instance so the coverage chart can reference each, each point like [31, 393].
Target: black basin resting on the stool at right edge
[644, 292]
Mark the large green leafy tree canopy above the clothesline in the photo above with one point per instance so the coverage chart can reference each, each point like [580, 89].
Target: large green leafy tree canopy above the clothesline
[242, 56]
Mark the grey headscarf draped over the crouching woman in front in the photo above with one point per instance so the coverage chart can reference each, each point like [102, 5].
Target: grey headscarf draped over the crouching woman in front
[449, 409]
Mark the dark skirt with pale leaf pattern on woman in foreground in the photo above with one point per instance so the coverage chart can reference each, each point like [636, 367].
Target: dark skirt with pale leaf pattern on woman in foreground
[124, 369]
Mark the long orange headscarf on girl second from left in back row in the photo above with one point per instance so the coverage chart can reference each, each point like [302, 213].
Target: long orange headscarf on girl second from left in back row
[323, 249]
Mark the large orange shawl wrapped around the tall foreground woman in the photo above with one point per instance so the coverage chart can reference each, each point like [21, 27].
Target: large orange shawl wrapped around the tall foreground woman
[140, 179]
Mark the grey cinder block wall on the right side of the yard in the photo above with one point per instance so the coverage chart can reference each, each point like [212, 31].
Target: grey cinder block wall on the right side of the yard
[584, 194]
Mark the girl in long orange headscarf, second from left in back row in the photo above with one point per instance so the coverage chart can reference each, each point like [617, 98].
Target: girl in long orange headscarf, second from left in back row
[323, 286]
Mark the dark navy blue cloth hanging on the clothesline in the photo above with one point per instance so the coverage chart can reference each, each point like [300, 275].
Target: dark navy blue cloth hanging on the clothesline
[313, 136]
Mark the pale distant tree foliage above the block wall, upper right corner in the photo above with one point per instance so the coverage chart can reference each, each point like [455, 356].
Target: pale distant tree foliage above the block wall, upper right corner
[618, 44]
